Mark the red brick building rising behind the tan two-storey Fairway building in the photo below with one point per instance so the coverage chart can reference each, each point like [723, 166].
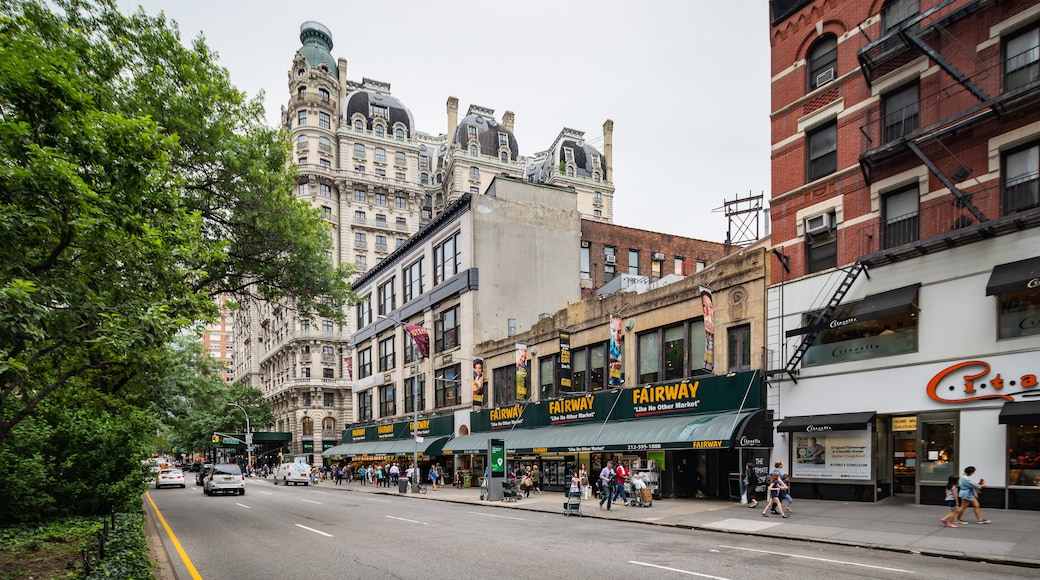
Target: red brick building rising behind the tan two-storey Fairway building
[610, 251]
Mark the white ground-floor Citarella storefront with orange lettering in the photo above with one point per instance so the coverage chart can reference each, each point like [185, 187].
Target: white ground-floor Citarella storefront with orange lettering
[904, 431]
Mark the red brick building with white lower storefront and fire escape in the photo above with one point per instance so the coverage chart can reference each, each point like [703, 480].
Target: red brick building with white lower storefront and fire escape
[904, 298]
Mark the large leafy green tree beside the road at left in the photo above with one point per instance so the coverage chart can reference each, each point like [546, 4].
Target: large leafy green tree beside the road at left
[137, 183]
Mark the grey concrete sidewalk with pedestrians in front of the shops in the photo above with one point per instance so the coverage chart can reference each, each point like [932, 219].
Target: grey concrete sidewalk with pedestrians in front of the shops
[895, 524]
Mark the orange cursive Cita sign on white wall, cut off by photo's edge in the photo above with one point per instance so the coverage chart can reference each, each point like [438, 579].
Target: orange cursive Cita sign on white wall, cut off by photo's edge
[975, 381]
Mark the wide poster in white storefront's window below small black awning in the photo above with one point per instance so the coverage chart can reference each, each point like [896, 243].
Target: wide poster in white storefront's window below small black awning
[833, 456]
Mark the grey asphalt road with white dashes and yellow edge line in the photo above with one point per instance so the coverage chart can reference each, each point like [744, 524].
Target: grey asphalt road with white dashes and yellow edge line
[299, 533]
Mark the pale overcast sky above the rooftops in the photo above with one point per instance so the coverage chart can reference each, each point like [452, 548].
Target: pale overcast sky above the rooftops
[687, 83]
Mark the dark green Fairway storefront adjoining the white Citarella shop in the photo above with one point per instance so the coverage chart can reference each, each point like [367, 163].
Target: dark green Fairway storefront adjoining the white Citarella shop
[678, 436]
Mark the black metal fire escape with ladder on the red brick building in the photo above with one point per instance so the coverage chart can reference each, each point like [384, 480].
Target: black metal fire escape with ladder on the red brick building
[970, 96]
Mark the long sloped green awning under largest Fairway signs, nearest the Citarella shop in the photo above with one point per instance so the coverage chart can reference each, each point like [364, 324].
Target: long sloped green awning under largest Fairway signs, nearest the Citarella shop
[689, 432]
